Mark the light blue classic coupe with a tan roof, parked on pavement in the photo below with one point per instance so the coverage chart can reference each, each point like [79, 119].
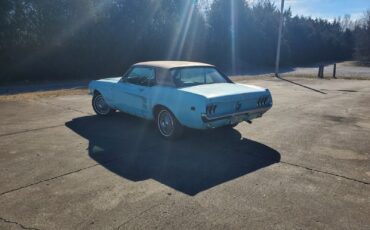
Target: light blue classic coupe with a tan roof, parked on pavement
[176, 94]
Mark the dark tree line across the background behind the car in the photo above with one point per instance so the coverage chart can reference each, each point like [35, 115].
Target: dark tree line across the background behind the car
[68, 39]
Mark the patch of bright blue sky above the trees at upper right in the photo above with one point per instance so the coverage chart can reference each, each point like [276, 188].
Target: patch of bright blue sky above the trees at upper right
[327, 9]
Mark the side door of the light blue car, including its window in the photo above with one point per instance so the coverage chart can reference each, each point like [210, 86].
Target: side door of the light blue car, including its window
[131, 93]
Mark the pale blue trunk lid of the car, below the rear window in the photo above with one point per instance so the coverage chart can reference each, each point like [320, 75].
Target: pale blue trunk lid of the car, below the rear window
[224, 90]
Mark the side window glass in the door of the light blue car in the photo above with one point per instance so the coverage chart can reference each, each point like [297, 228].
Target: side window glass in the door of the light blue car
[144, 76]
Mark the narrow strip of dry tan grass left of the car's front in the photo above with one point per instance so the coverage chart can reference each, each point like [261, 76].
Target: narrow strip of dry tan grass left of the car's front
[43, 94]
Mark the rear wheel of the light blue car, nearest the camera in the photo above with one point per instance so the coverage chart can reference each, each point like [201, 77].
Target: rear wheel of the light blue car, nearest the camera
[167, 124]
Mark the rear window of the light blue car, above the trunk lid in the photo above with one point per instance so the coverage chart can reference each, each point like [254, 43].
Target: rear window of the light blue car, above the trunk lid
[191, 76]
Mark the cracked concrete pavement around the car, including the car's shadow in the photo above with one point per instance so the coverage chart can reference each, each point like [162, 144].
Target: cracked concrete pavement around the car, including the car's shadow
[304, 165]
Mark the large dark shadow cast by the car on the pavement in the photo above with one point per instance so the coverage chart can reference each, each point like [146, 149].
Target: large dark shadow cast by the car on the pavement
[130, 147]
